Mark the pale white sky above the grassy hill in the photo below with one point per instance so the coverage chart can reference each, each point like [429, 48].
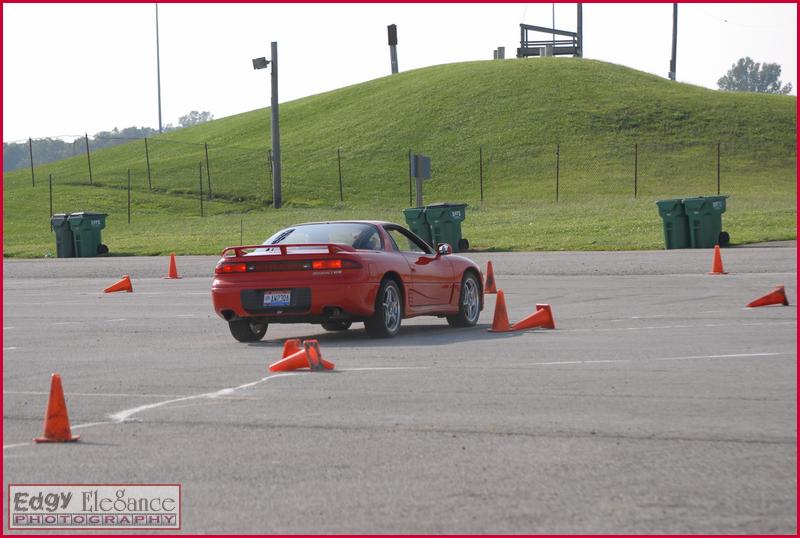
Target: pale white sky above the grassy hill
[75, 68]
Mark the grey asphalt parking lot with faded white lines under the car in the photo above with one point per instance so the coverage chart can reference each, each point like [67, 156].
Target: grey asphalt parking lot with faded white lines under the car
[659, 404]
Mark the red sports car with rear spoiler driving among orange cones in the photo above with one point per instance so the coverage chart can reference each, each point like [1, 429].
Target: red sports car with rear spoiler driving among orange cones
[335, 273]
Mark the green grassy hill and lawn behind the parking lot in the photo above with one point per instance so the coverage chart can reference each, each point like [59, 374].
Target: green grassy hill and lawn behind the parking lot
[600, 117]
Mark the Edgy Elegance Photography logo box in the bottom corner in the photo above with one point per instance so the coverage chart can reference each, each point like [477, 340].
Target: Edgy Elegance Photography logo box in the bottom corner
[94, 506]
